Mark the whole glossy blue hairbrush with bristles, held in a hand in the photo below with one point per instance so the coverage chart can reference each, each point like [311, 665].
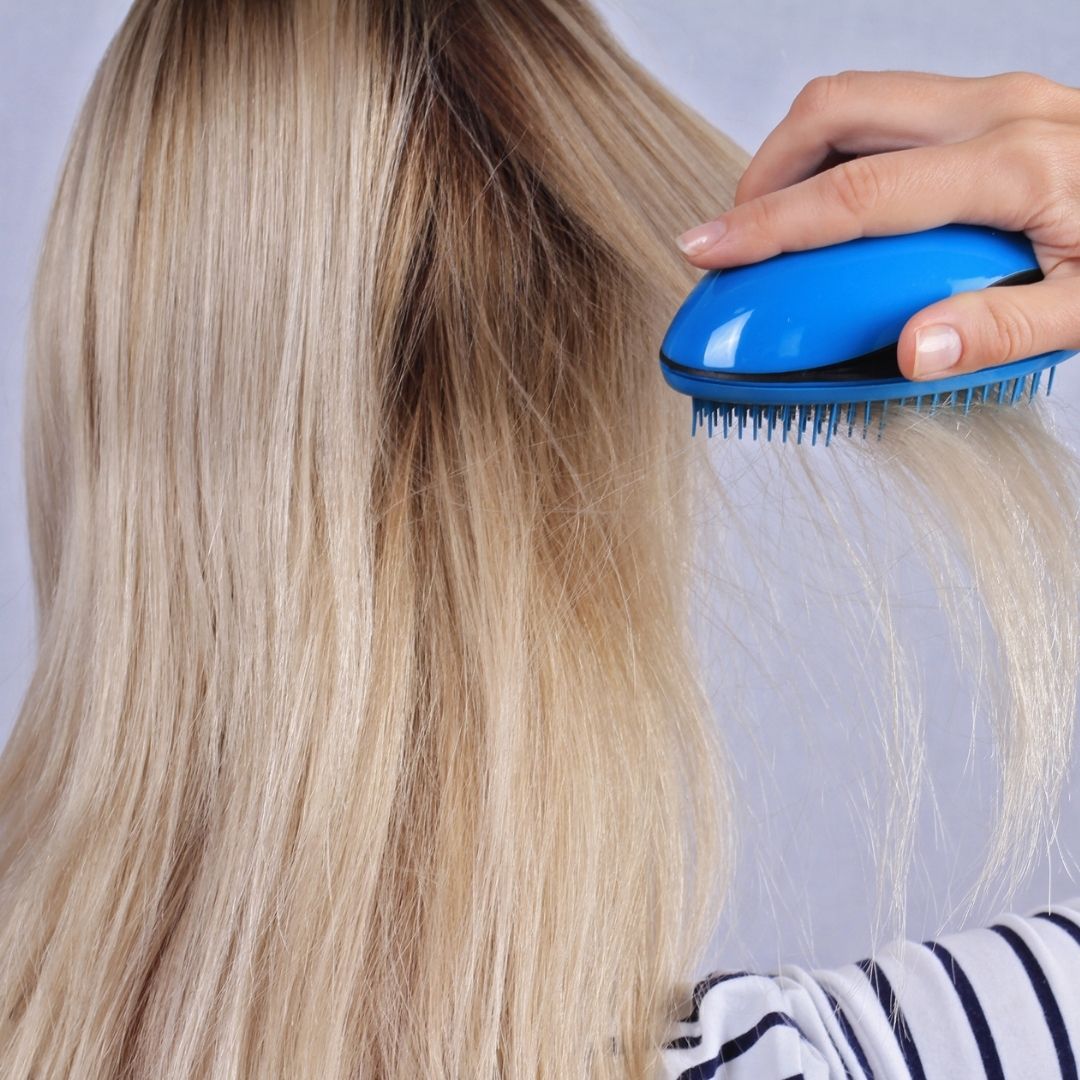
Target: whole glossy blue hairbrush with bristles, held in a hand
[809, 339]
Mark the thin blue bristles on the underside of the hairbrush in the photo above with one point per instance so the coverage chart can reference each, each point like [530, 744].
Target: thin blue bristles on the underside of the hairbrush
[826, 420]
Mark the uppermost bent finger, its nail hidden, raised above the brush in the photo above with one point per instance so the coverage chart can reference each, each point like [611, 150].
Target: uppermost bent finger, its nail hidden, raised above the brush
[858, 113]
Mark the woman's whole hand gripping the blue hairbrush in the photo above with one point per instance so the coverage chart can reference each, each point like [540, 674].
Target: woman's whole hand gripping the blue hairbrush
[1002, 151]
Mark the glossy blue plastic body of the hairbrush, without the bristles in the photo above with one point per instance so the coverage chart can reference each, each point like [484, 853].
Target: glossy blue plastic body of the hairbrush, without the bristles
[805, 310]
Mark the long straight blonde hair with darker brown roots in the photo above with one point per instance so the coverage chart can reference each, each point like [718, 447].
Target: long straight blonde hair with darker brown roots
[367, 735]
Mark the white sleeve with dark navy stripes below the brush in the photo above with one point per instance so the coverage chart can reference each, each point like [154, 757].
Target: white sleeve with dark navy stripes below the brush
[1000, 1002]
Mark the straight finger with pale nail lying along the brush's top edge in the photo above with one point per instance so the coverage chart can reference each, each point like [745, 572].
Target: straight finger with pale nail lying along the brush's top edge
[995, 180]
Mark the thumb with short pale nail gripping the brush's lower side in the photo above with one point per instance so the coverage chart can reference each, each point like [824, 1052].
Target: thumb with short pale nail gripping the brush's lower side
[971, 331]
